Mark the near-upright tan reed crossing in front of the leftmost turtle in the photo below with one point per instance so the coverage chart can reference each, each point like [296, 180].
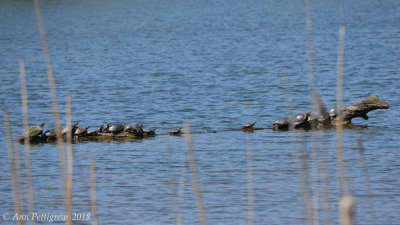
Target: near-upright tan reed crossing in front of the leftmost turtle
[27, 146]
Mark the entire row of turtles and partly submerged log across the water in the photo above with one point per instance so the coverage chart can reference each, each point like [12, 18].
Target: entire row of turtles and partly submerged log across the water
[305, 120]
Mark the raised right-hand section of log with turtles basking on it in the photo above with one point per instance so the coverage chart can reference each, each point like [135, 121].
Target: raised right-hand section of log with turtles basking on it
[335, 116]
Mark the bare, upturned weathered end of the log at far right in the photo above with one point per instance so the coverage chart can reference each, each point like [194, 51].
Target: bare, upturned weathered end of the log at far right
[359, 109]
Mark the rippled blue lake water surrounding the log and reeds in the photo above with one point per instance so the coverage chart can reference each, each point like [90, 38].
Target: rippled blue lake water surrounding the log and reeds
[217, 64]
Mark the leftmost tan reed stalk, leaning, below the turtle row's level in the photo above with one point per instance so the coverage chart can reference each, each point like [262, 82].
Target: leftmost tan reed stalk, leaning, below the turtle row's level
[18, 205]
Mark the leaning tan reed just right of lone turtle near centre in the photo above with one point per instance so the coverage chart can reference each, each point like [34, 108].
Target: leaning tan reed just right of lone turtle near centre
[195, 180]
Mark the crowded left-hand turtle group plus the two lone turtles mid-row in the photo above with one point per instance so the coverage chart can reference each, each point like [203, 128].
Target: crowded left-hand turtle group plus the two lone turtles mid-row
[35, 133]
